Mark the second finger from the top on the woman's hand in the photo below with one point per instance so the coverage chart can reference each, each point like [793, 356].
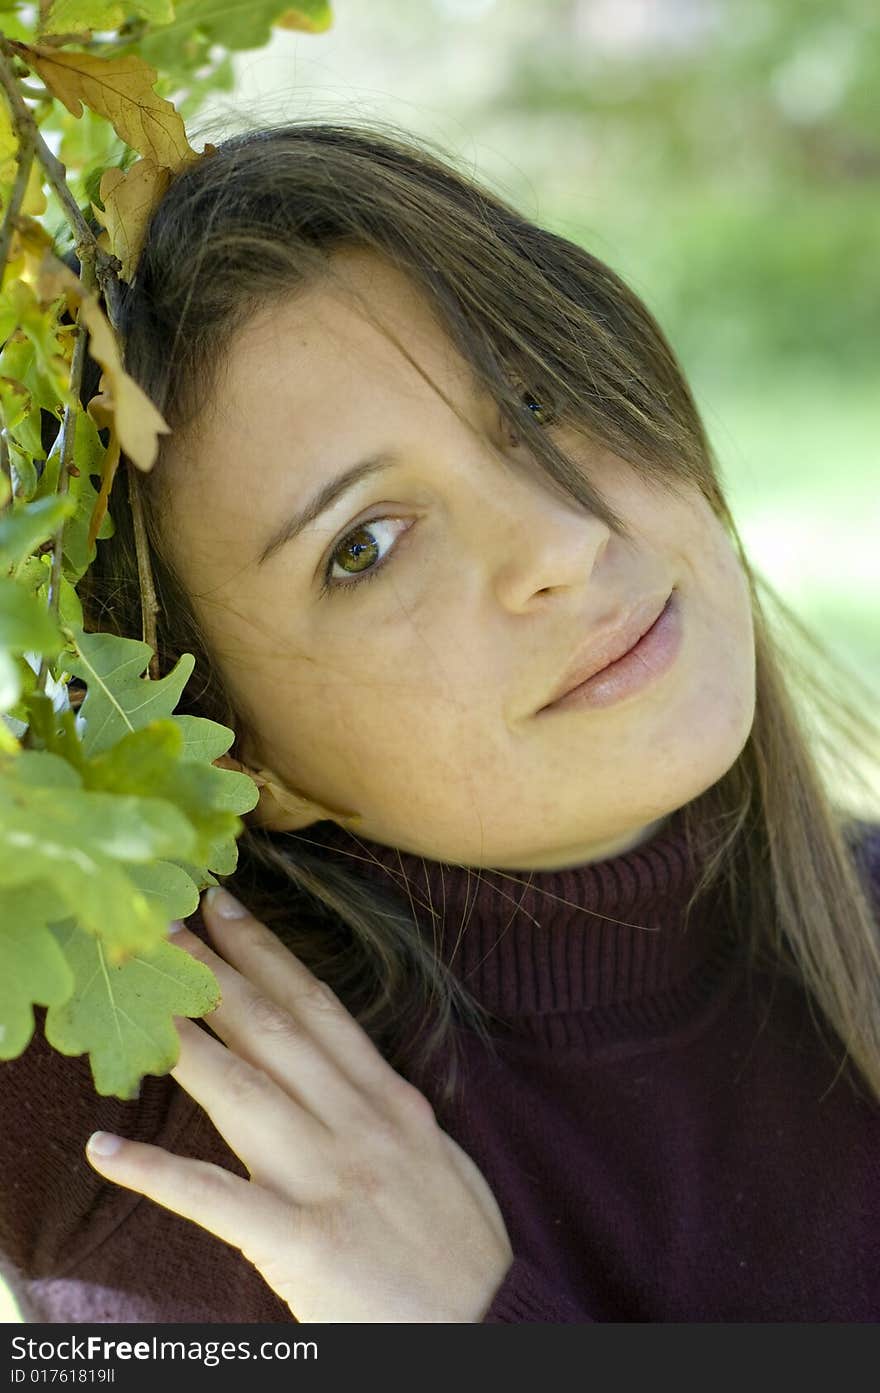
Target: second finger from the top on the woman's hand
[272, 1040]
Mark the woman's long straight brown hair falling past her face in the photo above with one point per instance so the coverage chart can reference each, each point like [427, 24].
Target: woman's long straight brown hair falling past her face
[257, 219]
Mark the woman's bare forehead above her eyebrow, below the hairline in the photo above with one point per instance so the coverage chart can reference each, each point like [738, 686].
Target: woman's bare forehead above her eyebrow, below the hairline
[352, 366]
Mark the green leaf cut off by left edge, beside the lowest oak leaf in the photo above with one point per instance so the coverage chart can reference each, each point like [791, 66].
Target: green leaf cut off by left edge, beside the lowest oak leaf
[34, 967]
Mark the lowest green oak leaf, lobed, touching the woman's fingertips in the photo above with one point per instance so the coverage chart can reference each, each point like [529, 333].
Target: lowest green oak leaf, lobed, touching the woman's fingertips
[123, 1016]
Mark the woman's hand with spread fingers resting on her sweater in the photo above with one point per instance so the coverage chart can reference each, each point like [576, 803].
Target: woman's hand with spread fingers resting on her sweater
[360, 1207]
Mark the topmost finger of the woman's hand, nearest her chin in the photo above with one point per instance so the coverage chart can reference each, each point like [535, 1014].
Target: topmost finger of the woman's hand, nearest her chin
[283, 979]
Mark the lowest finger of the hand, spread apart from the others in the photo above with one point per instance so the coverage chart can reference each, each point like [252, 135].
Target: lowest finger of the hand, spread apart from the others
[235, 1210]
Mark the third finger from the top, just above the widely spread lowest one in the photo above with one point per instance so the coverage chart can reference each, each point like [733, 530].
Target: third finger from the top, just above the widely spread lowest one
[283, 1146]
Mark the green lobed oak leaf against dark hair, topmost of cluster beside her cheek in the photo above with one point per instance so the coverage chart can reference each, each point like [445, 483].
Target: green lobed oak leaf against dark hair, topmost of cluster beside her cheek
[119, 700]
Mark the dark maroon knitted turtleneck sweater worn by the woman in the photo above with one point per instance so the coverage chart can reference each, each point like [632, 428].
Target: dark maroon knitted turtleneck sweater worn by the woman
[666, 1142]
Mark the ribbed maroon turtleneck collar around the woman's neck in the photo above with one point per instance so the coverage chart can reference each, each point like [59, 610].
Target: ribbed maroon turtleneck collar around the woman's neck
[604, 940]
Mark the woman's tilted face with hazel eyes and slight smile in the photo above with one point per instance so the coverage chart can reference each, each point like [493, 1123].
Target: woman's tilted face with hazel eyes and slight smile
[413, 697]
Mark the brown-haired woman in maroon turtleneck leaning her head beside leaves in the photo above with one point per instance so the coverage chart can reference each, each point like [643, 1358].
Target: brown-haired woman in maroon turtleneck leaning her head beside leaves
[602, 1041]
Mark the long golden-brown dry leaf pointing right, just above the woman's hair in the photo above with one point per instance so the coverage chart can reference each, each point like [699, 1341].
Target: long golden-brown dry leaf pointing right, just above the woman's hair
[120, 90]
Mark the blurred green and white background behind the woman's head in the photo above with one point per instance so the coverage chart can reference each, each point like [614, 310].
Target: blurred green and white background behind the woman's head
[725, 158]
